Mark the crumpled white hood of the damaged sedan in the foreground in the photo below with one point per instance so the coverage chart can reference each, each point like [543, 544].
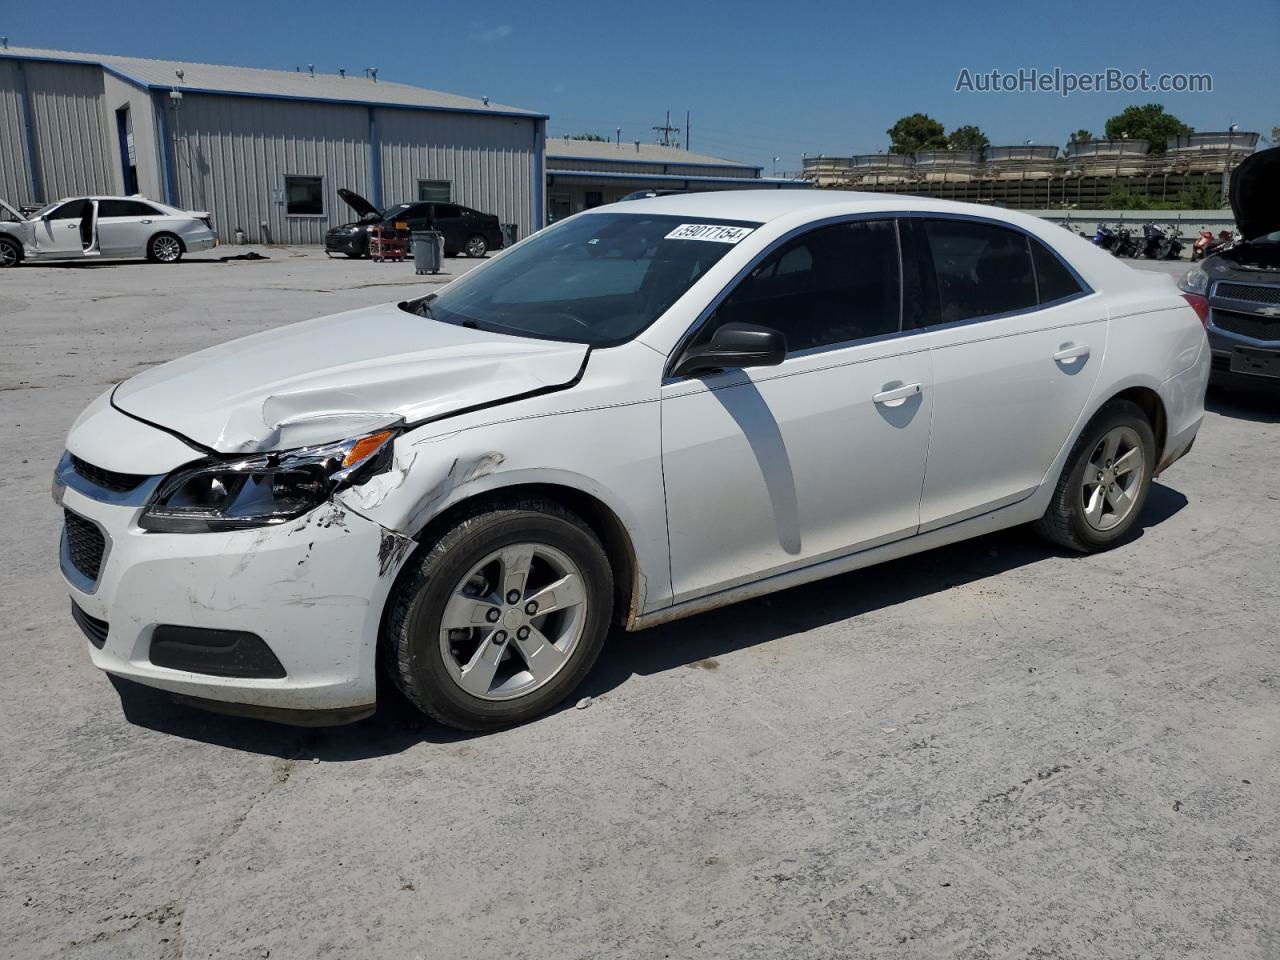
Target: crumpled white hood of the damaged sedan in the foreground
[339, 377]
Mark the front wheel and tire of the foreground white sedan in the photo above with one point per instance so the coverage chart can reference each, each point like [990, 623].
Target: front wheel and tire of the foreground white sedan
[500, 619]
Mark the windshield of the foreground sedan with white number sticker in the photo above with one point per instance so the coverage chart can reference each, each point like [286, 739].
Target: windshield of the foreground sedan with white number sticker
[598, 280]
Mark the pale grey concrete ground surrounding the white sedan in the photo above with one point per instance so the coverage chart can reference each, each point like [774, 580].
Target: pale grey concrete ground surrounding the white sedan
[994, 751]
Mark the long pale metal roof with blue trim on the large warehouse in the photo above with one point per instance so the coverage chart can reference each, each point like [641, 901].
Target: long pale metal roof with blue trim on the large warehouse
[287, 85]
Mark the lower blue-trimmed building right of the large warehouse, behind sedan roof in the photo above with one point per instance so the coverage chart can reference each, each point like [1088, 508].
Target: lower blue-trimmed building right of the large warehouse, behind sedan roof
[583, 175]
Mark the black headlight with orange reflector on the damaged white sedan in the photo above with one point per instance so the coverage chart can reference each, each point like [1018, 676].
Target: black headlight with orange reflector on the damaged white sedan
[264, 490]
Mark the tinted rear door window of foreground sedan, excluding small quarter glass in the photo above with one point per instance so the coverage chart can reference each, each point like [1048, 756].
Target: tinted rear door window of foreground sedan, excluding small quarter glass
[980, 269]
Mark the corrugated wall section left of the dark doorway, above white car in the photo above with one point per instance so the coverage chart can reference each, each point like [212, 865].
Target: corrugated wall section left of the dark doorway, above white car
[71, 143]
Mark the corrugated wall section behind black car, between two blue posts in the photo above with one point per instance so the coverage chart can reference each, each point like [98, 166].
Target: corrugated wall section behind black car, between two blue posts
[490, 161]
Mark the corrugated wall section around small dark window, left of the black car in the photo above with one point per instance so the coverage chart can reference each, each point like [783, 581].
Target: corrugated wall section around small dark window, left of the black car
[234, 154]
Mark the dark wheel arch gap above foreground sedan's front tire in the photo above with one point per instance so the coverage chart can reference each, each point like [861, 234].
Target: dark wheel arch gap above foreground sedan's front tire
[605, 523]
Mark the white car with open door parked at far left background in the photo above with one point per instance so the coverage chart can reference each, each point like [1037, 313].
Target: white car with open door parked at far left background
[103, 227]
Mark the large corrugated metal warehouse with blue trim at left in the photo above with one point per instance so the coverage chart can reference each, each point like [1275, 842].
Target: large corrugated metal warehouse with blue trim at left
[258, 147]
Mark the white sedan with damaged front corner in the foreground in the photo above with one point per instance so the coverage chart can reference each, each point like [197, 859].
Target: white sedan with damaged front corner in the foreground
[639, 414]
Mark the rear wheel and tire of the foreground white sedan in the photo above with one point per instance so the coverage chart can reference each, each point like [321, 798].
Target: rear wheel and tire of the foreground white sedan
[1105, 483]
